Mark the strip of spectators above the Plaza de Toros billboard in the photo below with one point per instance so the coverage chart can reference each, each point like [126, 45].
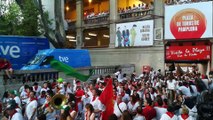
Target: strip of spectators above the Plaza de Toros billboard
[172, 2]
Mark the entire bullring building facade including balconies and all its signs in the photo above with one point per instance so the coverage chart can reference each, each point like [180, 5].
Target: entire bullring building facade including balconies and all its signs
[138, 32]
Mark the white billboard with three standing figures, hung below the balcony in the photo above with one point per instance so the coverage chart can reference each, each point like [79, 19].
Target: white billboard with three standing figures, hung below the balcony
[138, 33]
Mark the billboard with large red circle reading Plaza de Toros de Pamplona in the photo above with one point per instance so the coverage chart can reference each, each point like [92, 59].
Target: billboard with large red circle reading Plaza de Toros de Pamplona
[188, 21]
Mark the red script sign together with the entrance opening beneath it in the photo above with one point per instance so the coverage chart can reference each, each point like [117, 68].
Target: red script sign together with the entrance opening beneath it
[189, 54]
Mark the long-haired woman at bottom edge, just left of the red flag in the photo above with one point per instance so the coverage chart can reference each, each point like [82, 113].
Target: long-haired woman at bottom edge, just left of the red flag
[89, 114]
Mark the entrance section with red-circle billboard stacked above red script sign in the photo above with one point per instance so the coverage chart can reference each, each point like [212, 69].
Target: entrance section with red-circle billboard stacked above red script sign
[188, 31]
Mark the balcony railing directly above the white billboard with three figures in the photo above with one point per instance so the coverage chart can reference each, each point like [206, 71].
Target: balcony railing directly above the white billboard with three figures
[135, 13]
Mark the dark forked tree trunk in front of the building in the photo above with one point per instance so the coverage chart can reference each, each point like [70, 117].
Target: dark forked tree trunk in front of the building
[56, 36]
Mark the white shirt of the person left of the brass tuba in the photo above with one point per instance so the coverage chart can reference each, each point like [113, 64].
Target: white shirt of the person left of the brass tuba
[30, 107]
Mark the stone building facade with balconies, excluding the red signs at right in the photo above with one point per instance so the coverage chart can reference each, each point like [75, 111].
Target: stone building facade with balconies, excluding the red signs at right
[118, 31]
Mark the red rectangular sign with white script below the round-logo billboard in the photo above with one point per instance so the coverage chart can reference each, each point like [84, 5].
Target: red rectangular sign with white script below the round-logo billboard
[184, 53]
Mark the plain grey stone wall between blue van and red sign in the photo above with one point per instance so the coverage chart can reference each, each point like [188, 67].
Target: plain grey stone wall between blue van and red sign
[153, 56]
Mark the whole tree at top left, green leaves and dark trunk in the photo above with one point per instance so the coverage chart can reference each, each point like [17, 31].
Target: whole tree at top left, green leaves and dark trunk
[28, 18]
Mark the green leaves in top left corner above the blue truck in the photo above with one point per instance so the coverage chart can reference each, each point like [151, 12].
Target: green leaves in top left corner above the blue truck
[17, 21]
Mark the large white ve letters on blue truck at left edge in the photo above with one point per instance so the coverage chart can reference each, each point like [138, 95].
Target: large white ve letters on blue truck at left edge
[13, 51]
